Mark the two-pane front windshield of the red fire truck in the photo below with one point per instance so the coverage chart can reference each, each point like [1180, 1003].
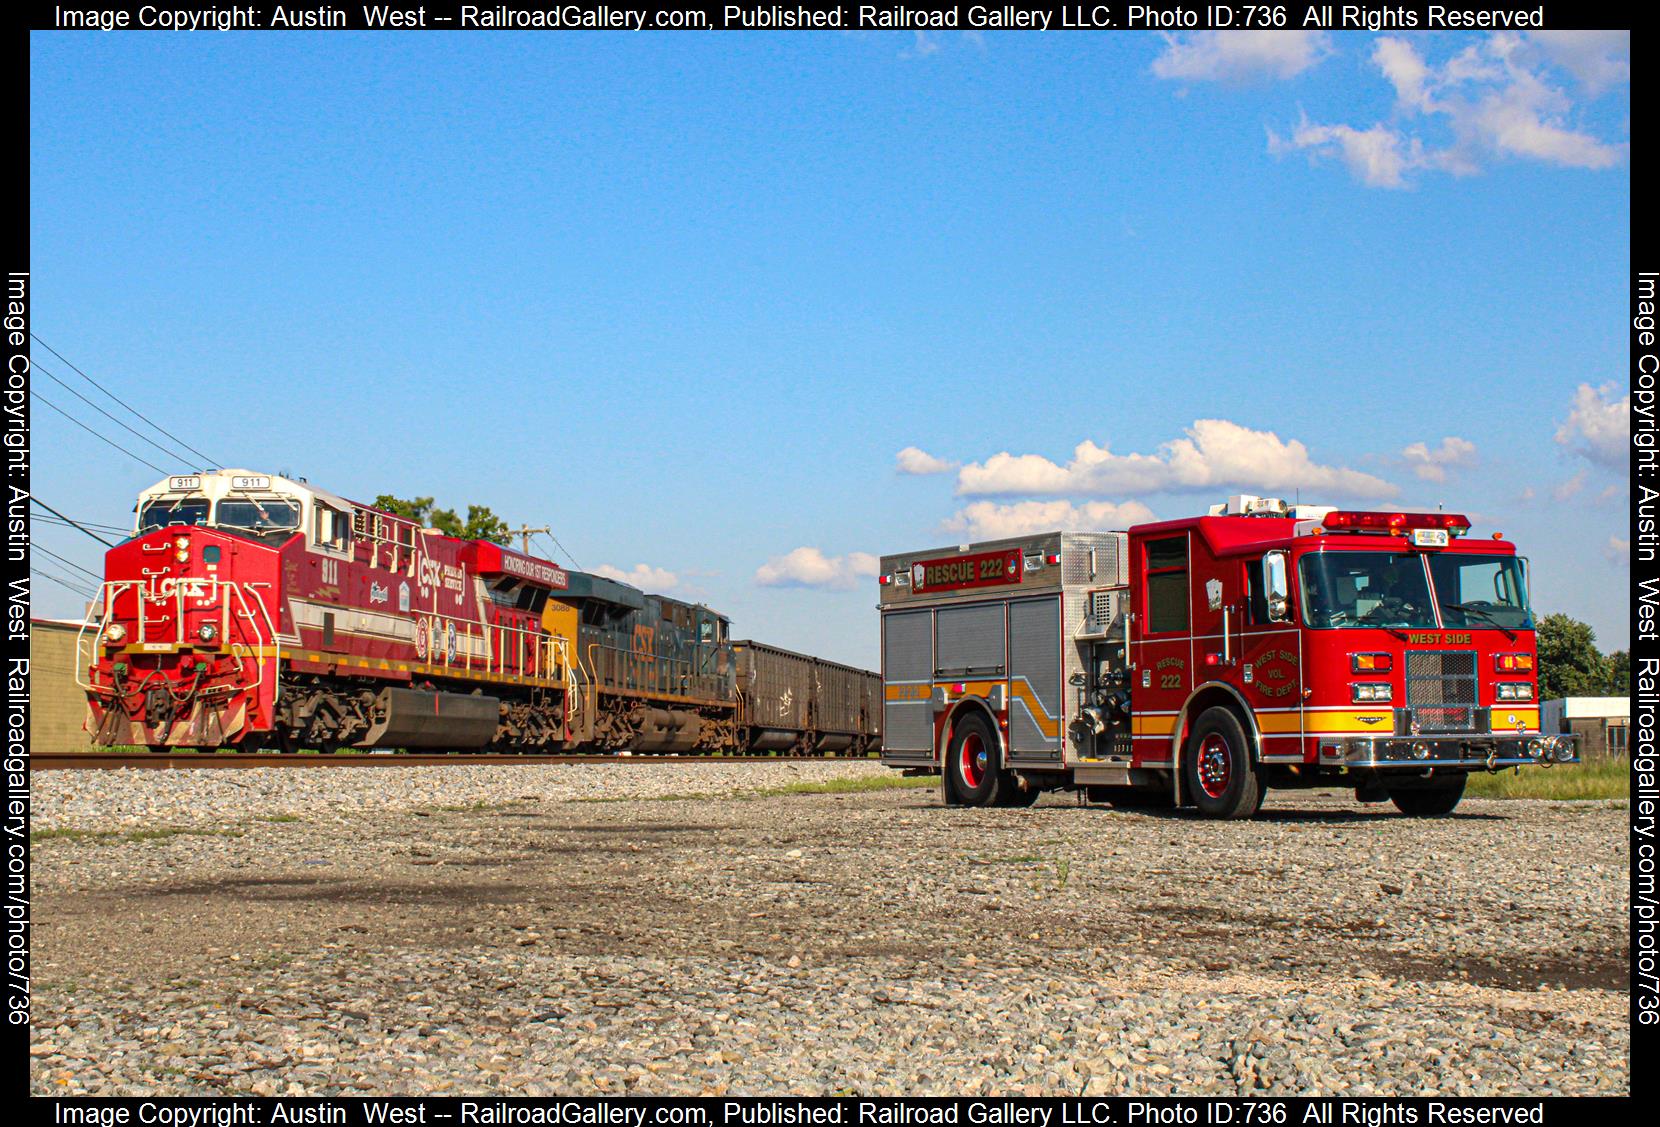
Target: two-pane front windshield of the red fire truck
[1380, 588]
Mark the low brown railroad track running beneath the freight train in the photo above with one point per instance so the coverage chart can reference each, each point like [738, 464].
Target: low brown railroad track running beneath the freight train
[197, 761]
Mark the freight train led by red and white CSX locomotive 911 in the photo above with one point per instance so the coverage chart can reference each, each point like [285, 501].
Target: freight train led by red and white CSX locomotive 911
[256, 612]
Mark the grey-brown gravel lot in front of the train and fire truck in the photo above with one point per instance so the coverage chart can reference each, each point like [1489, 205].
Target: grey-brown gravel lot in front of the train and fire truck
[497, 932]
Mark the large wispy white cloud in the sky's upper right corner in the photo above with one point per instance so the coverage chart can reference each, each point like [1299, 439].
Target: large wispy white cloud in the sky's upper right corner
[1493, 97]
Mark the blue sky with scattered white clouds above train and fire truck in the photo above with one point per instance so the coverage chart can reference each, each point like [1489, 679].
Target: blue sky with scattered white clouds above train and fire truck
[688, 298]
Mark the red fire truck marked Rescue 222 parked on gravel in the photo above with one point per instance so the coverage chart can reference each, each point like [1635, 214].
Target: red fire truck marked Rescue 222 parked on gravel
[1204, 661]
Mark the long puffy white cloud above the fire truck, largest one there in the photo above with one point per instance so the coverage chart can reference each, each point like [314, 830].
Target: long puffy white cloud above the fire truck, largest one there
[1216, 454]
